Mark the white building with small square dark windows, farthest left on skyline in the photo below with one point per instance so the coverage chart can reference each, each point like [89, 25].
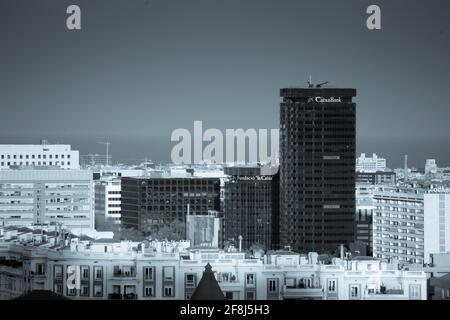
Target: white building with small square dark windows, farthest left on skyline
[34, 155]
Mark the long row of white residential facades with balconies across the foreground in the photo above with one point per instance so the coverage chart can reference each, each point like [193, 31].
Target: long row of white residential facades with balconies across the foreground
[172, 270]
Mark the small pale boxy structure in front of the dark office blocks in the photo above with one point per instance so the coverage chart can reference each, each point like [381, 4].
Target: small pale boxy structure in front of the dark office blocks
[204, 230]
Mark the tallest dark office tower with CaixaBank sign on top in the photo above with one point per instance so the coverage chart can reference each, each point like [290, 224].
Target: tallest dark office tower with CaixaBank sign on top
[317, 168]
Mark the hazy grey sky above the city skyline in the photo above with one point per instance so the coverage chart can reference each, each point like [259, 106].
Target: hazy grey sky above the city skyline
[140, 69]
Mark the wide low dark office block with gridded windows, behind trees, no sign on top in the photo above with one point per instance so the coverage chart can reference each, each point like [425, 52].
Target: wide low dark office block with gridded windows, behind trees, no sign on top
[149, 204]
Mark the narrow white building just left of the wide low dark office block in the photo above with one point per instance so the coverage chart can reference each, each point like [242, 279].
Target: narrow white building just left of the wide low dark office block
[108, 199]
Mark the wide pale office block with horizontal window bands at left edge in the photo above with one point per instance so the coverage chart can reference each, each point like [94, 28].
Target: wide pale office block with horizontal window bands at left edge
[43, 196]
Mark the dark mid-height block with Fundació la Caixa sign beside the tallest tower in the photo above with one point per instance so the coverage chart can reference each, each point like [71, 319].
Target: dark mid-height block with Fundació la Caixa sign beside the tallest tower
[252, 206]
